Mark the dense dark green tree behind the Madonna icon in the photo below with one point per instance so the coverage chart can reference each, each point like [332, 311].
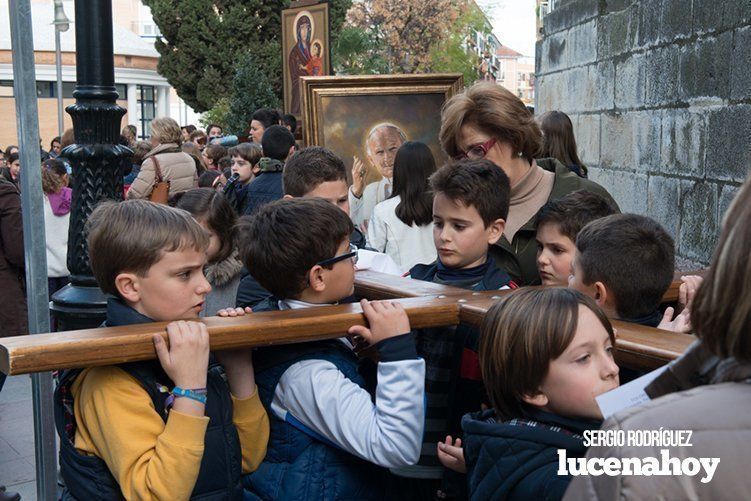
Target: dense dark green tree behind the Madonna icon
[203, 40]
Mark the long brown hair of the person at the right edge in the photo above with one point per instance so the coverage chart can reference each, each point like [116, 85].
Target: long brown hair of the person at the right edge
[721, 315]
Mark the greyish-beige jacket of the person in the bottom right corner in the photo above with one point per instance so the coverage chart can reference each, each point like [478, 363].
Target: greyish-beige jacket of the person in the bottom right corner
[712, 398]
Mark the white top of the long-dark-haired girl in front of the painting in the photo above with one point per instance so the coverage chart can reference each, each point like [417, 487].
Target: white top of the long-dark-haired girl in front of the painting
[407, 245]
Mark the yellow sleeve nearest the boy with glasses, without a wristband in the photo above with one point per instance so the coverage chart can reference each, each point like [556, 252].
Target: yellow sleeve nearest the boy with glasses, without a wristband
[252, 425]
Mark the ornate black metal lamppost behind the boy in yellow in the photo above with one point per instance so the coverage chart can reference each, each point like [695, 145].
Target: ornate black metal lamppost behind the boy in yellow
[97, 158]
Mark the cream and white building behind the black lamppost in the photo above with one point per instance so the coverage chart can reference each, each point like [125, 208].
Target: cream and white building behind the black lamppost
[143, 92]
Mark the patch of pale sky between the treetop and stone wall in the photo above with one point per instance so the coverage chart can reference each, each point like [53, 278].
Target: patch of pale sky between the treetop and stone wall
[513, 22]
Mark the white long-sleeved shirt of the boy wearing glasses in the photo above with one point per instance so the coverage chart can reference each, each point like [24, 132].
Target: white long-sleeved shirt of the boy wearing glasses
[387, 433]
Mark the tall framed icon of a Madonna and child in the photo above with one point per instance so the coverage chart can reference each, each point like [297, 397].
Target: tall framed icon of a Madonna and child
[305, 48]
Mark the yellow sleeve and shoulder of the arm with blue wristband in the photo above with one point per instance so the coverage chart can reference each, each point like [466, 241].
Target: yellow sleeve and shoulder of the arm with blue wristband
[117, 422]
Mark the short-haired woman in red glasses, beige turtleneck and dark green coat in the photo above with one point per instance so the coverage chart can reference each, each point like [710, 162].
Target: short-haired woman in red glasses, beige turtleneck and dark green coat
[488, 121]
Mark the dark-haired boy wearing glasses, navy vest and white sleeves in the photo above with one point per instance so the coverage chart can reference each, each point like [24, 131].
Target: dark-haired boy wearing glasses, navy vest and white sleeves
[329, 440]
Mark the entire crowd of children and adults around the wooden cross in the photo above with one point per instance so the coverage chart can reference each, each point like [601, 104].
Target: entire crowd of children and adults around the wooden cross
[441, 413]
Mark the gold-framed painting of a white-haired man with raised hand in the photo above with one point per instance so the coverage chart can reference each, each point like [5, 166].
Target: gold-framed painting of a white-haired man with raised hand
[351, 114]
